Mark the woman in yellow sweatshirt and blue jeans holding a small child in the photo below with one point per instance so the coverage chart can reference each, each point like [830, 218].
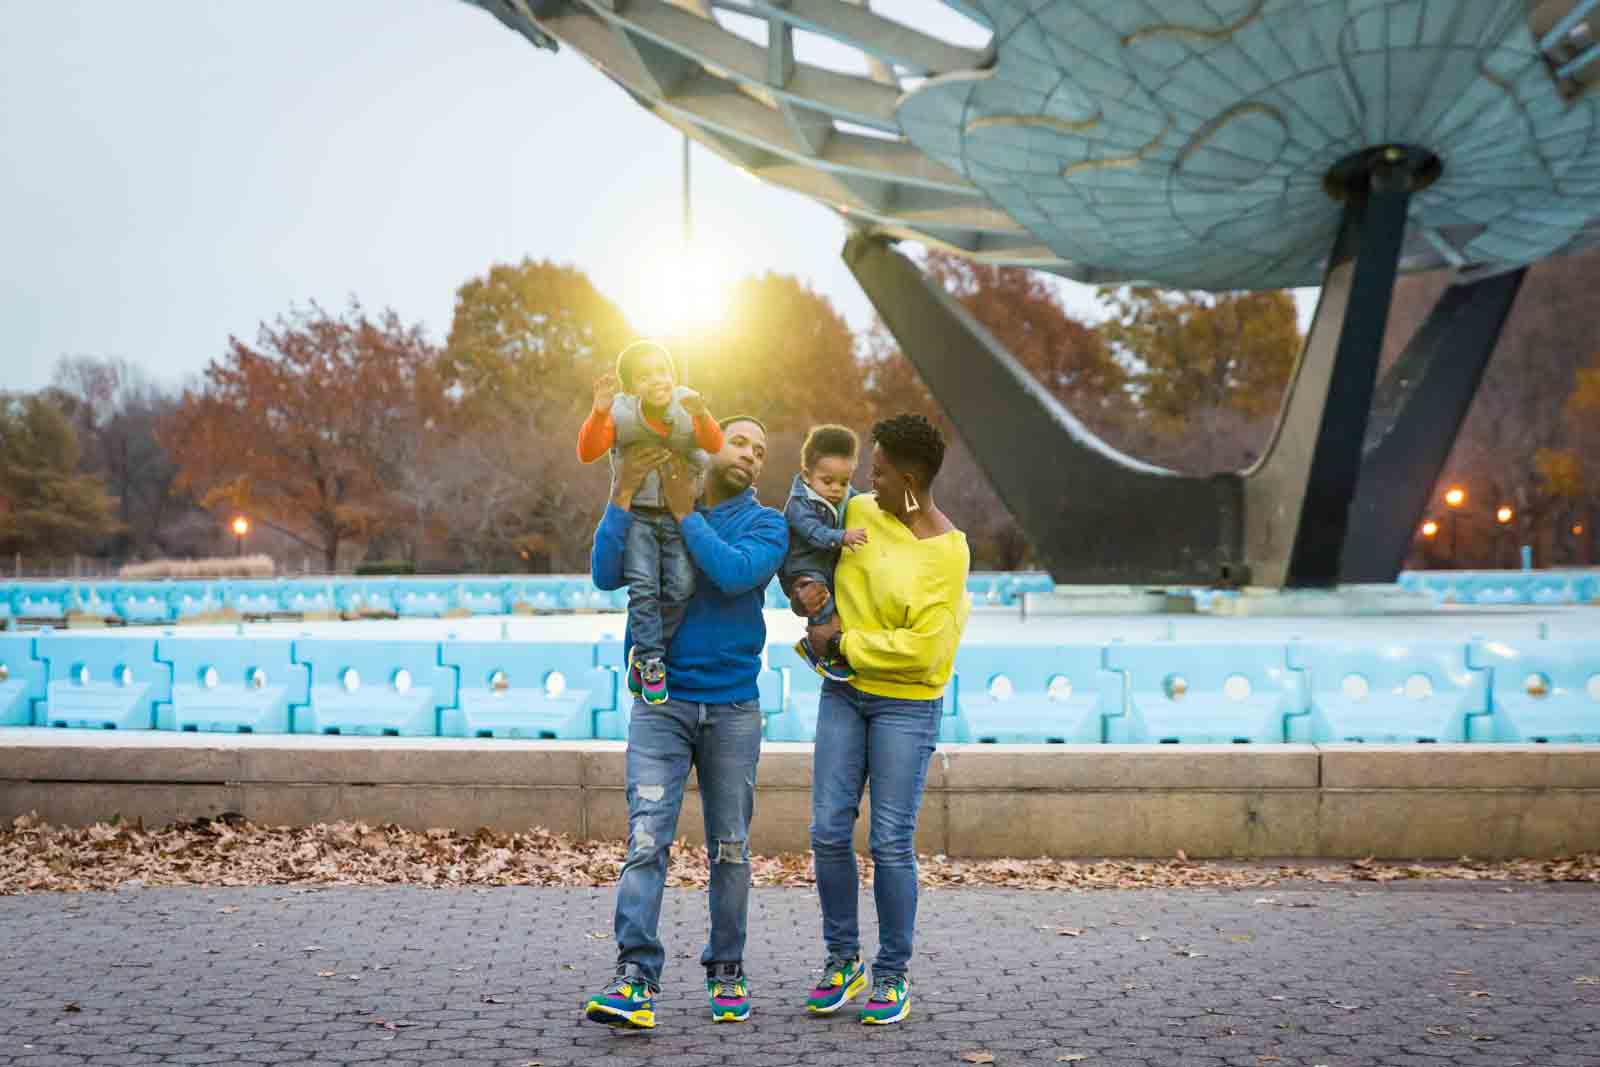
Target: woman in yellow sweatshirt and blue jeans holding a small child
[900, 615]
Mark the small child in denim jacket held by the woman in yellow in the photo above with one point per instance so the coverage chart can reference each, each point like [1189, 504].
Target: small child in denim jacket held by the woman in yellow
[817, 526]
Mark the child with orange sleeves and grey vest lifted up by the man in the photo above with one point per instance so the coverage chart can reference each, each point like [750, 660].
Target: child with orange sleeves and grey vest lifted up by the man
[642, 402]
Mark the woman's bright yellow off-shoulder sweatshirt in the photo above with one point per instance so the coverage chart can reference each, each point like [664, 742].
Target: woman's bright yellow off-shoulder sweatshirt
[903, 604]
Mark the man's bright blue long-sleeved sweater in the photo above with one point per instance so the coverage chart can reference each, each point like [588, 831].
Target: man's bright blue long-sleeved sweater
[737, 548]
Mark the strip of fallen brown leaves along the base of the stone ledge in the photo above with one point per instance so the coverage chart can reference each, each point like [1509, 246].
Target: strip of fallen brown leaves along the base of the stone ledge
[42, 858]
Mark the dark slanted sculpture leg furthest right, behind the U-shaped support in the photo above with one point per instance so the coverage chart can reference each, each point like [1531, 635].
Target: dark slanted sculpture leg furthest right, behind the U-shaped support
[1417, 415]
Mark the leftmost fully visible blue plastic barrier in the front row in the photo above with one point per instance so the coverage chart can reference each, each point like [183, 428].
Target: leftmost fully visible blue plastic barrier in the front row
[103, 682]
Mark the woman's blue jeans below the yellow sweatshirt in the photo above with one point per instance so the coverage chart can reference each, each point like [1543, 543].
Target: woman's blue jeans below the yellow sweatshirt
[886, 741]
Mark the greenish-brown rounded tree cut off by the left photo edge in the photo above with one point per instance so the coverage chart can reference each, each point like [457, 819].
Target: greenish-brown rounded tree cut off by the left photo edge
[47, 506]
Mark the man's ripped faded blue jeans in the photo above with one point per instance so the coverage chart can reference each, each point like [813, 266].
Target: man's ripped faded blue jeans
[722, 743]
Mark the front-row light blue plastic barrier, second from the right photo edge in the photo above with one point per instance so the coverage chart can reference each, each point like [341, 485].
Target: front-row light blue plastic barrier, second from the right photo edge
[1393, 693]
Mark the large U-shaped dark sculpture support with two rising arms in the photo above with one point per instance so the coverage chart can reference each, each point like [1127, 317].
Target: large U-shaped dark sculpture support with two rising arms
[1097, 516]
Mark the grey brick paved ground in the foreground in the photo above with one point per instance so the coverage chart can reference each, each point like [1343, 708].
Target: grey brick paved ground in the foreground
[1406, 975]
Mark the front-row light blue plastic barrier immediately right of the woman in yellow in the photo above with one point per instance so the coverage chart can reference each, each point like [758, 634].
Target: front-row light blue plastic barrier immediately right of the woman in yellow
[1034, 693]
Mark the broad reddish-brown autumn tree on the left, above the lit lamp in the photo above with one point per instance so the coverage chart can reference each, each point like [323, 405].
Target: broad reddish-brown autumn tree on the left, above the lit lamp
[310, 430]
